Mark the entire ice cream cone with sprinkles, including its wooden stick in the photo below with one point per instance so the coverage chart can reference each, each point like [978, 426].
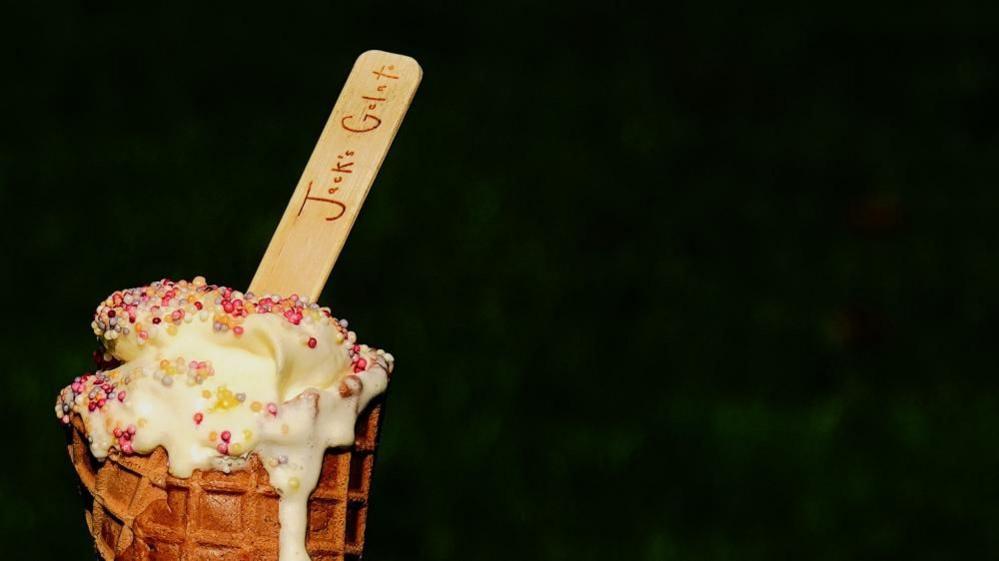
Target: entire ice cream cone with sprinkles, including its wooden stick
[223, 455]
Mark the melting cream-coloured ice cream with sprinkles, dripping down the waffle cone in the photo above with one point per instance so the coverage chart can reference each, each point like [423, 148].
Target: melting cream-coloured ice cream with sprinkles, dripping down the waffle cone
[213, 375]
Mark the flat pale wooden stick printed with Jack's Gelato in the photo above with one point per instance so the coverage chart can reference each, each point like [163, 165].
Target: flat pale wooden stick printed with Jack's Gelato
[338, 175]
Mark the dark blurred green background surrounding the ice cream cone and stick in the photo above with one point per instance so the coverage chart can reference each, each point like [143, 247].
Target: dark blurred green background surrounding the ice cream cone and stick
[711, 283]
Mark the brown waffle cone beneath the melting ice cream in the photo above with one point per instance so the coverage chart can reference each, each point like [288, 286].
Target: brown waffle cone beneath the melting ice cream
[137, 511]
